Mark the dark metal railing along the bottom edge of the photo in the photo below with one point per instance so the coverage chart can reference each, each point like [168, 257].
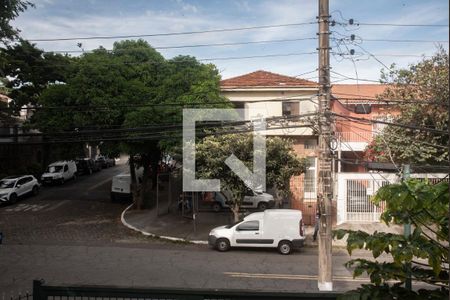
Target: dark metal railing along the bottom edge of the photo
[46, 292]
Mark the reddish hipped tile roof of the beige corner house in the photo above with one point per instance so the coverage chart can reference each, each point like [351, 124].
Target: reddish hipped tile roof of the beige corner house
[265, 79]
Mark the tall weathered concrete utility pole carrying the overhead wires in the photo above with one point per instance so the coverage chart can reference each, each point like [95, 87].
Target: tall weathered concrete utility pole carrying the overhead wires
[324, 184]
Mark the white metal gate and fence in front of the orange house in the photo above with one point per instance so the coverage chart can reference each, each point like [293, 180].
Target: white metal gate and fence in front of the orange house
[355, 189]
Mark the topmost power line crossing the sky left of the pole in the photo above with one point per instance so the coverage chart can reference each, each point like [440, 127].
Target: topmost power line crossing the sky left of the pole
[170, 33]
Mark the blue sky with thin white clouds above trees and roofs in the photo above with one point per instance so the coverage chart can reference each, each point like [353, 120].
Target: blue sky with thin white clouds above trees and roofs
[288, 50]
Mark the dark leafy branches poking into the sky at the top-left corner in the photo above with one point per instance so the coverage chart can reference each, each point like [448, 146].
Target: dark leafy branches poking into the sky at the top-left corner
[10, 9]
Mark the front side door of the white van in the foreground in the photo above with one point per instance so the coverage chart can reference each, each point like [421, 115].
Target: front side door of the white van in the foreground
[248, 234]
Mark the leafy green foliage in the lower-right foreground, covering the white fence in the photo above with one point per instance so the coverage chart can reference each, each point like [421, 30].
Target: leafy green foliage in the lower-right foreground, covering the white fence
[422, 256]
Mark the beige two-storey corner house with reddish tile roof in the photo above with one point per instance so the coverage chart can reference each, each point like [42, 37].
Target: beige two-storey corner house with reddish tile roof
[283, 96]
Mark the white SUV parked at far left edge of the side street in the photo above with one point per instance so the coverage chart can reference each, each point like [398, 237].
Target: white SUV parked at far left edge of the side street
[13, 187]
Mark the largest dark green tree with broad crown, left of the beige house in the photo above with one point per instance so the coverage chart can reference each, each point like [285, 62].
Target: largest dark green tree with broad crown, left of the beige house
[131, 86]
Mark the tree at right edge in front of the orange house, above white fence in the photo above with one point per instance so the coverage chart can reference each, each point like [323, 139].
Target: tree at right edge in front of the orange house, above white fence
[424, 87]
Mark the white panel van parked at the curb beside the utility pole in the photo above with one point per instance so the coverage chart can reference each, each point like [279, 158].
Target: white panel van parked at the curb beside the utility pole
[273, 228]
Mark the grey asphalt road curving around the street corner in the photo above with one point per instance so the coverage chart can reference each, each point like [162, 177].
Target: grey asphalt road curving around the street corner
[72, 234]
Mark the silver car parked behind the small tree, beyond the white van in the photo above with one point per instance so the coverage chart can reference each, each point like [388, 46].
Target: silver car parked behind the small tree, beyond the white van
[252, 199]
